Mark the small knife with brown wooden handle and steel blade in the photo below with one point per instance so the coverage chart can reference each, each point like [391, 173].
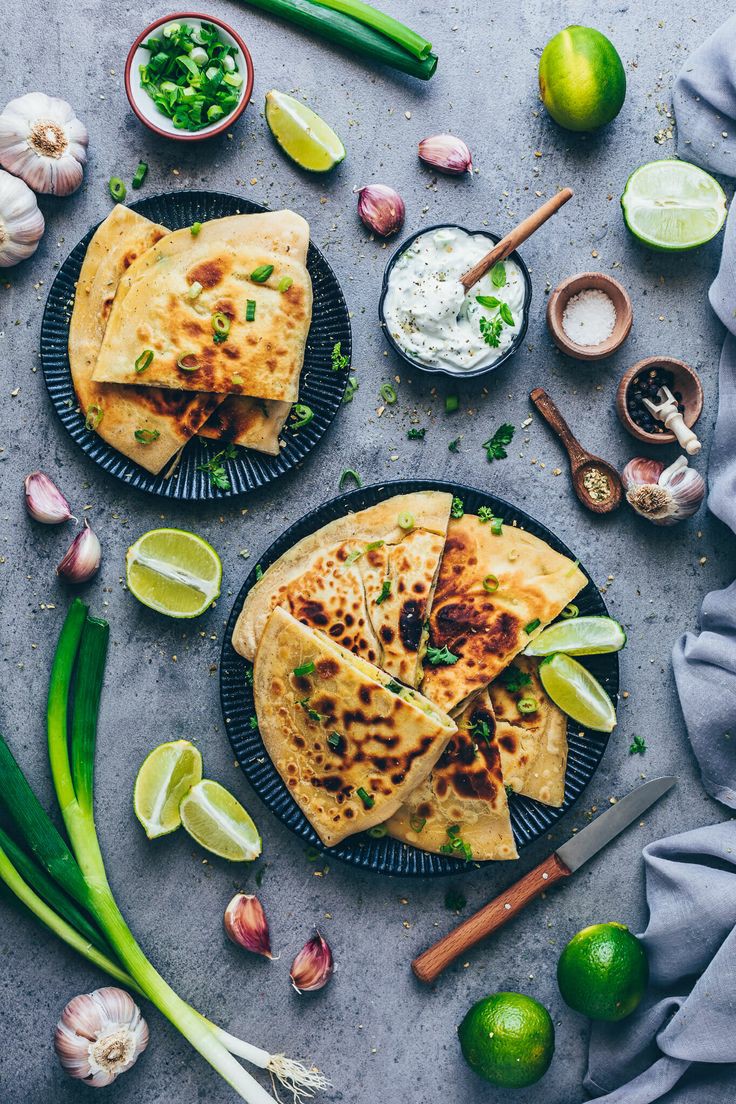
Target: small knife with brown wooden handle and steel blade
[561, 864]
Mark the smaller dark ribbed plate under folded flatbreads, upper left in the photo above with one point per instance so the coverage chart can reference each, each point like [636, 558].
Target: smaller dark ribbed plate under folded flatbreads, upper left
[321, 387]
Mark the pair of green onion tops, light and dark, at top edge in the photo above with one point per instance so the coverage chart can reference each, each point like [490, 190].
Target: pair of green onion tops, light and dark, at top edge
[360, 28]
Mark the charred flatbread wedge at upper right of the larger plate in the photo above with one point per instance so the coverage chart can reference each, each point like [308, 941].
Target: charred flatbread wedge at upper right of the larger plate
[495, 593]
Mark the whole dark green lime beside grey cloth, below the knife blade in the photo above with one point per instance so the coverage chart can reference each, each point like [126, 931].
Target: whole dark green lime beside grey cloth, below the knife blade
[603, 972]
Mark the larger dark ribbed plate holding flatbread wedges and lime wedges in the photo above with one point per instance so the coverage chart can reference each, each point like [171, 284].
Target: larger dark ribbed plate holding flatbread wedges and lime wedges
[530, 820]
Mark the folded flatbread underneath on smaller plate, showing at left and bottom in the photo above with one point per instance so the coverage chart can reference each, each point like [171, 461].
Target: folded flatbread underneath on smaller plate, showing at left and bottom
[167, 419]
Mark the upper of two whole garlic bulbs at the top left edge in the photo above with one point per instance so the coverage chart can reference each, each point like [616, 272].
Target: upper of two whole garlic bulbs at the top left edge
[44, 143]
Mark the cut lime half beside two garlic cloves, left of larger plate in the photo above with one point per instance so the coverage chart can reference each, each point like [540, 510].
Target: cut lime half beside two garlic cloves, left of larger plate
[175, 572]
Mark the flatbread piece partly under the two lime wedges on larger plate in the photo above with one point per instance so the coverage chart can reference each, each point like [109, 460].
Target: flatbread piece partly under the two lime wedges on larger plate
[534, 746]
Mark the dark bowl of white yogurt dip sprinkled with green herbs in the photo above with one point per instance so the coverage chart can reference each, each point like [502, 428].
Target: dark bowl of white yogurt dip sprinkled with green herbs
[430, 319]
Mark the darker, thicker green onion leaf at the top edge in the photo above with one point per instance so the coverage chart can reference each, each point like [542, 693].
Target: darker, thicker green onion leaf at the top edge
[351, 34]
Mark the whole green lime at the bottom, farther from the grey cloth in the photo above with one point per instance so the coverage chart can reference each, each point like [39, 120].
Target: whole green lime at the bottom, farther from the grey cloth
[508, 1039]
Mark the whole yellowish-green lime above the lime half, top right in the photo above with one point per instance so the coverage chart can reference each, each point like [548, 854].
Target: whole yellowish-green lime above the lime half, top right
[582, 79]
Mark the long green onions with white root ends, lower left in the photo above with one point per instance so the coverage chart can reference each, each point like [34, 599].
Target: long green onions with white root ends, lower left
[54, 882]
